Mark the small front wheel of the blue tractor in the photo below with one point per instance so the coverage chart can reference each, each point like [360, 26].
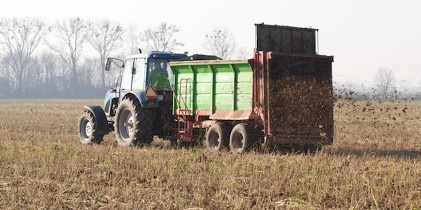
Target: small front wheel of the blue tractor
[87, 128]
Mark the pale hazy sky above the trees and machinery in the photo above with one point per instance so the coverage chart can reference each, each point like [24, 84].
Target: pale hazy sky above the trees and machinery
[362, 35]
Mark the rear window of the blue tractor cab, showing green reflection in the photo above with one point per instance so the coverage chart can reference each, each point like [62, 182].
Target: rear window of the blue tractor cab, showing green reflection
[160, 74]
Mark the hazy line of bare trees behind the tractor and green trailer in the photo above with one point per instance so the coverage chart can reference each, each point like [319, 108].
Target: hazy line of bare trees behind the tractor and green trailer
[66, 59]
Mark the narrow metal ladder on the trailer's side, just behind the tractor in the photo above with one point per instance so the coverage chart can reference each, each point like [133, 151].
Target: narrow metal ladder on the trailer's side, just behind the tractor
[185, 126]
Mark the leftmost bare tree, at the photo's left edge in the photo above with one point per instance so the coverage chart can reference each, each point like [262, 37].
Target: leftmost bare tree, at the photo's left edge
[20, 38]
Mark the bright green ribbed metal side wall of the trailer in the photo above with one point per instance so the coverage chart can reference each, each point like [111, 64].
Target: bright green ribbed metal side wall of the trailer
[213, 85]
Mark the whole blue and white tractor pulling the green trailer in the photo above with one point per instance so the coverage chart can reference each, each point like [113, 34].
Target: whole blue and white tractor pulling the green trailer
[139, 106]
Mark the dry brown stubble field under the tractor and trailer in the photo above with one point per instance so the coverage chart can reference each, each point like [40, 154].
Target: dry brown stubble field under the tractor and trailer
[374, 163]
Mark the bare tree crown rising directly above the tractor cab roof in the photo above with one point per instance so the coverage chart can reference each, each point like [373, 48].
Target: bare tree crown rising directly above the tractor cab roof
[161, 38]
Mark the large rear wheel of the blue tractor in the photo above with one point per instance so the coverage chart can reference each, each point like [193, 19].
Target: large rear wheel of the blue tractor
[133, 124]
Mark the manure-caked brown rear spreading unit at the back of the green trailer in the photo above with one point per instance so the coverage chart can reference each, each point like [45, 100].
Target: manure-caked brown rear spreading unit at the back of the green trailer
[293, 97]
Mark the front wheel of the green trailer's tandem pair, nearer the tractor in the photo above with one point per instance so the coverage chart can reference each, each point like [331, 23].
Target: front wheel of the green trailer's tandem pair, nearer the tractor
[217, 137]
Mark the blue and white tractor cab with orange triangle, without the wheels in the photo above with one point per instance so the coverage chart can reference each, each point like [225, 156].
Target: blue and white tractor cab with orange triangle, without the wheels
[144, 75]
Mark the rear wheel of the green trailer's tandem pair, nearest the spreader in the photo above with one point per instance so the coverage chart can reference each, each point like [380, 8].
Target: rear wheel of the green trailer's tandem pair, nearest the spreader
[241, 139]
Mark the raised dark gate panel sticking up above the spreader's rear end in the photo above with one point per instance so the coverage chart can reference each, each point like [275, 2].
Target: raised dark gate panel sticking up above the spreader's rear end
[286, 39]
